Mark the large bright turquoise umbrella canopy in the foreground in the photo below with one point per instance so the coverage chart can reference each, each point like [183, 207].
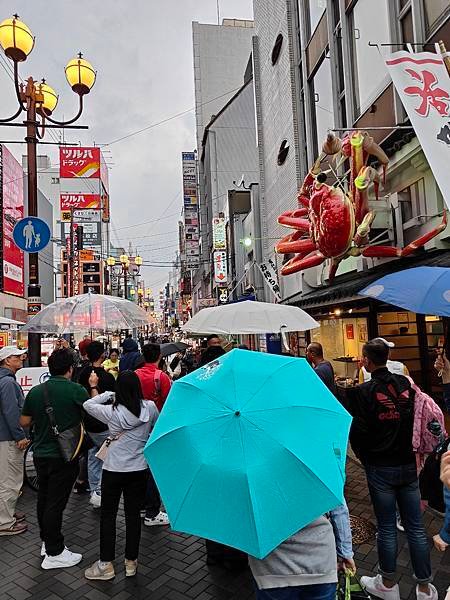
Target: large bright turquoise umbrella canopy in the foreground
[248, 450]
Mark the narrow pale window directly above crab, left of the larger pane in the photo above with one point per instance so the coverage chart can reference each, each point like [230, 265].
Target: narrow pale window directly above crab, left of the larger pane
[322, 102]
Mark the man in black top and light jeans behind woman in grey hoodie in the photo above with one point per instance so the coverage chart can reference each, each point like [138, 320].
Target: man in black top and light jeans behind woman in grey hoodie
[96, 430]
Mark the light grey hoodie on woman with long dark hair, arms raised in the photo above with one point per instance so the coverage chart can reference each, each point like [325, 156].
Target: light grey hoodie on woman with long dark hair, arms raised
[126, 453]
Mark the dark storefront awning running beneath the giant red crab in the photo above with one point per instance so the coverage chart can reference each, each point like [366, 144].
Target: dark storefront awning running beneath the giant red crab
[346, 287]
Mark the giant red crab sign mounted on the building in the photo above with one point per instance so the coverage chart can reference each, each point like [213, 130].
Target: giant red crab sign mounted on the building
[334, 223]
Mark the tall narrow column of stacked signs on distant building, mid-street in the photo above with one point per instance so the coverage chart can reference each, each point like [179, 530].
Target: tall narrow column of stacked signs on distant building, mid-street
[190, 210]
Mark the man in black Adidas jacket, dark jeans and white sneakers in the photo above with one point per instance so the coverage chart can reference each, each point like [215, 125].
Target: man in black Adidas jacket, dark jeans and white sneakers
[381, 437]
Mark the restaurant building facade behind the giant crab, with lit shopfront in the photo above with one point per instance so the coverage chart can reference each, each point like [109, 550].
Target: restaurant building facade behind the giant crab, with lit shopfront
[318, 67]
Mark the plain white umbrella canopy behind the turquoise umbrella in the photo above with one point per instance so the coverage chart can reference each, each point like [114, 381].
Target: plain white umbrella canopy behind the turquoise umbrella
[250, 317]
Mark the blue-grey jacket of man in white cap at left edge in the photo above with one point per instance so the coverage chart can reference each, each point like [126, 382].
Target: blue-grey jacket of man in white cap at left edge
[11, 403]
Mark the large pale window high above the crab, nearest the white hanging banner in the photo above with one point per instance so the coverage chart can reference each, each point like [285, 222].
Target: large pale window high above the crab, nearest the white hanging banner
[369, 23]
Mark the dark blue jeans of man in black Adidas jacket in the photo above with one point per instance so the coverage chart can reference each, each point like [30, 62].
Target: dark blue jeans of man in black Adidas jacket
[388, 487]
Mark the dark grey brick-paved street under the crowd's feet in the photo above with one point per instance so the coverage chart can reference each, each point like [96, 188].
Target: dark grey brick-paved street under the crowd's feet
[172, 565]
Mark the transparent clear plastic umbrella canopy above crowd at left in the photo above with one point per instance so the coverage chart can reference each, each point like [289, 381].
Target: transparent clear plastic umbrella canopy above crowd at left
[87, 312]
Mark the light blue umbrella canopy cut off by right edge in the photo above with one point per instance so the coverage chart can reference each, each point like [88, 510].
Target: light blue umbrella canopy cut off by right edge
[423, 290]
